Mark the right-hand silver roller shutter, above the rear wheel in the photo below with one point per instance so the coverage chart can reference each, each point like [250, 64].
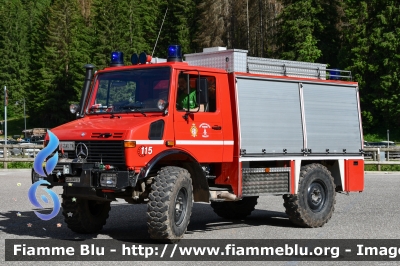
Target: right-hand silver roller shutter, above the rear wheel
[332, 120]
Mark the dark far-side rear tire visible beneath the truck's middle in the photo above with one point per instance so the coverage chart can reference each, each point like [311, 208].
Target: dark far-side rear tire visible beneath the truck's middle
[235, 209]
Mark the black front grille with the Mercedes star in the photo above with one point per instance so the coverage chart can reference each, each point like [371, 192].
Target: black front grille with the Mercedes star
[108, 152]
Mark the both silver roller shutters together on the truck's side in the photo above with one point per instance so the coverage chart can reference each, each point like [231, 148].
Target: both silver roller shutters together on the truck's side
[278, 117]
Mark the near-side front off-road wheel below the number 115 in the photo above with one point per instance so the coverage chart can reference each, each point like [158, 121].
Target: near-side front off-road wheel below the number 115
[170, 204]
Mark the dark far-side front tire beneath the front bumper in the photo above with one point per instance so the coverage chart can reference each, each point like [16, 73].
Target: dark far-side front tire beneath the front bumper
[85, 216]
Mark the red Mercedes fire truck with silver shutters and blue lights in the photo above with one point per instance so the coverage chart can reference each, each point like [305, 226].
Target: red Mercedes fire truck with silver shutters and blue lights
[221, 127]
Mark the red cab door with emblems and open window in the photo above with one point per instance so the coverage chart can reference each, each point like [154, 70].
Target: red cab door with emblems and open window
[200, 131]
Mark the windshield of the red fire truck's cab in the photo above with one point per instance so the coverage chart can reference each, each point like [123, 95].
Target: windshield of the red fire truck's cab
[134, 90]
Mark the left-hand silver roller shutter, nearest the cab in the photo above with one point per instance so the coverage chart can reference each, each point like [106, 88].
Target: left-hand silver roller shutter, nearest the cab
[270, 118]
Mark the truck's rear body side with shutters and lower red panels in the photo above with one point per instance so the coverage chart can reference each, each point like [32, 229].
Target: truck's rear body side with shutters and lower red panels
[298, 121]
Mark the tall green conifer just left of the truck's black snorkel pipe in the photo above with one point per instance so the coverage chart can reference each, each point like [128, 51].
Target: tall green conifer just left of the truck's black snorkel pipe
[64, 51]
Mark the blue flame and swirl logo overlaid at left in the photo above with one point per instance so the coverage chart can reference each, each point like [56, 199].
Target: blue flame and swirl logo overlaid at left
[39, 169]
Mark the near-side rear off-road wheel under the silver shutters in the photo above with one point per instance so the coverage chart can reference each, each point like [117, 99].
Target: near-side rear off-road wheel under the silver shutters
[314, 203]
